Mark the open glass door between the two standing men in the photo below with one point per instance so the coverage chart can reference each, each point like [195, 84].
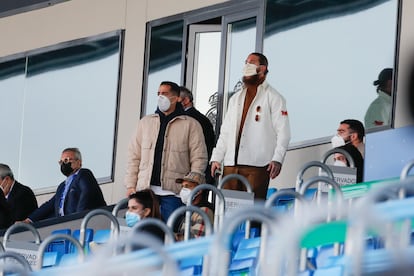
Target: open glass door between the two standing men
[215, 58]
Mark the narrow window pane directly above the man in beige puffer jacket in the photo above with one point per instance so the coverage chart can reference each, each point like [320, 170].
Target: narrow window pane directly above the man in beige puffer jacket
[164, 61]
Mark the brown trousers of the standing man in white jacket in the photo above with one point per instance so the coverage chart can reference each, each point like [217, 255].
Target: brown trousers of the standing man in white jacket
[258, 178]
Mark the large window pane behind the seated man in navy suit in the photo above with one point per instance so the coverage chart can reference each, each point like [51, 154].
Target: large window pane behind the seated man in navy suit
[68, 98]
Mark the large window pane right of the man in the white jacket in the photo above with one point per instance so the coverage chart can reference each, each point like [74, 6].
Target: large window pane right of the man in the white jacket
[325, 57]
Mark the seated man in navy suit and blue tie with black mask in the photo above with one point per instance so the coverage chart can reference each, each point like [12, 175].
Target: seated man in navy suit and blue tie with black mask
[79, 192]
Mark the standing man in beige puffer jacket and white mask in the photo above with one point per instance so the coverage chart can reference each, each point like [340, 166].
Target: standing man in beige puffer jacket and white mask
[166, 146]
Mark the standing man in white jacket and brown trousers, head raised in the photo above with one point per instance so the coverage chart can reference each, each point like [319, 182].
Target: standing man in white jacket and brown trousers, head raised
[255, 133]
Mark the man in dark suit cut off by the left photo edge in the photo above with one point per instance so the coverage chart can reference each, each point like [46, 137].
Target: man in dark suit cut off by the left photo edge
[19, 198]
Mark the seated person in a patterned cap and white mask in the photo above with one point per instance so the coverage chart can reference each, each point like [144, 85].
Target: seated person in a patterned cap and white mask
[188, 183]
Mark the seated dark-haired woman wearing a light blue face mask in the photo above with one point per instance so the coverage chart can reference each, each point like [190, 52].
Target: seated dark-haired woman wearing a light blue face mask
[144, 204]
